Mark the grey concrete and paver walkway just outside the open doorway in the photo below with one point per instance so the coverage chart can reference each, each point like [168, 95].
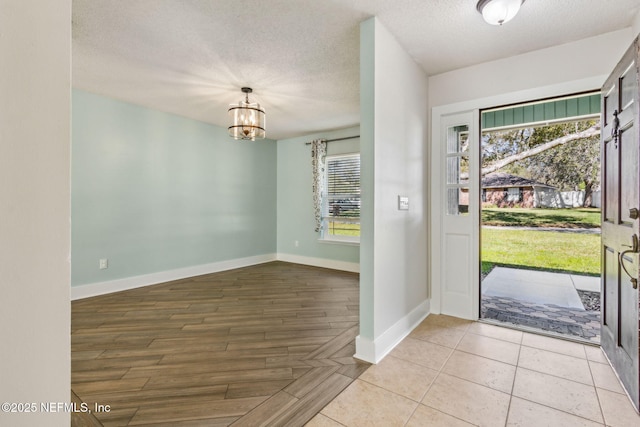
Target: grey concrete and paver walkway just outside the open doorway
[542, 300]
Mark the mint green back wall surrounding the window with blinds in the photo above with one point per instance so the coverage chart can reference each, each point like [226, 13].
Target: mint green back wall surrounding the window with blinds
[295, 202]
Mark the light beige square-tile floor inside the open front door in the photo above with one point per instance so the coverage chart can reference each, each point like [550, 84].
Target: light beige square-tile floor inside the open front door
[452, 372]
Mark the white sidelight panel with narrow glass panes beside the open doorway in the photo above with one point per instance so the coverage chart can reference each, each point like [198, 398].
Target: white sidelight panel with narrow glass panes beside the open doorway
[455, 215]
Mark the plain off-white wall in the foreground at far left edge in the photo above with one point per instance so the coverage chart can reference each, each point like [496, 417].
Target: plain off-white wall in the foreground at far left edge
[35, 41]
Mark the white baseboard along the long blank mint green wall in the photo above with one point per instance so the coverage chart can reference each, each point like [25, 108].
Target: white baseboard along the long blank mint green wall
[101, 288]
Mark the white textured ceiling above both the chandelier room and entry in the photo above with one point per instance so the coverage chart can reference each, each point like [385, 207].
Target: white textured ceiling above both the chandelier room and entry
[190, 57]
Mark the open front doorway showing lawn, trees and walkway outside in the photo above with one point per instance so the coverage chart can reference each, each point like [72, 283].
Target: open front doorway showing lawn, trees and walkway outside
[540, 216]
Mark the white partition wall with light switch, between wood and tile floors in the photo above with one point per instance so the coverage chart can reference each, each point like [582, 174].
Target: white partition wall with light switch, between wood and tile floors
[393, 256]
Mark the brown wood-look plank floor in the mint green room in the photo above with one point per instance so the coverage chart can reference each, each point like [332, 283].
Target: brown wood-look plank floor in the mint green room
[265, 345]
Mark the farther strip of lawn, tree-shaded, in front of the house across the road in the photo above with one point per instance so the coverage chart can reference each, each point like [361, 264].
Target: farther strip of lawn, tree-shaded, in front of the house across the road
[564, 218]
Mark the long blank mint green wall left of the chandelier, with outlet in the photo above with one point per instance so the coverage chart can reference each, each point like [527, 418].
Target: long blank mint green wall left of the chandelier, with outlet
[153, 192]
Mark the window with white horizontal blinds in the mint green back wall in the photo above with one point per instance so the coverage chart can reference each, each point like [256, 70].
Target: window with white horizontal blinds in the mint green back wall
[341, 201]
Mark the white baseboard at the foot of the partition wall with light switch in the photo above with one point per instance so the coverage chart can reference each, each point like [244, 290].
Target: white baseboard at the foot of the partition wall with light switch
[374, 351]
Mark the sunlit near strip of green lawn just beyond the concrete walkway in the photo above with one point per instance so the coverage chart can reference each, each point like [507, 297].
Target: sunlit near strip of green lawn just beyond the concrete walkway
[541, 250]
